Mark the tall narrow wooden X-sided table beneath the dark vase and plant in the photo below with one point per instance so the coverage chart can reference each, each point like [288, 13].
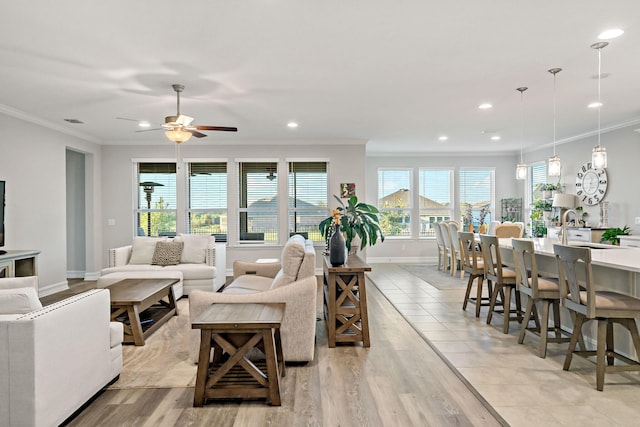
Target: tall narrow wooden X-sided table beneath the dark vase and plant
[345, 301]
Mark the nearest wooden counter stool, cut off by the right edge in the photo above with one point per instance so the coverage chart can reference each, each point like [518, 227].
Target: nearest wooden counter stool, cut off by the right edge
[580, 296]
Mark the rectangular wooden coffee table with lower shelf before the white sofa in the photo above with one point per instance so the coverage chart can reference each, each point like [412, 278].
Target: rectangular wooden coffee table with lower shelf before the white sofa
[131, 297]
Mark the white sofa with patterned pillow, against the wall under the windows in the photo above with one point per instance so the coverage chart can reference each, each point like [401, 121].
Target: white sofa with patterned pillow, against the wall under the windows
[202, 262]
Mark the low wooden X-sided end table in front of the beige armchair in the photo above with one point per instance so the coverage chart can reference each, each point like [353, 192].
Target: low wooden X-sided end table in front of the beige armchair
[232, 330]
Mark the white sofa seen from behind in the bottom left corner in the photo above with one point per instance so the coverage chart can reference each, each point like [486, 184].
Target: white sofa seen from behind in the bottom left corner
[54, 359]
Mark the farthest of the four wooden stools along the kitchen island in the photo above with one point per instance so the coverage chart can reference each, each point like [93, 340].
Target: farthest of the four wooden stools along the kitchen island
[474, 265]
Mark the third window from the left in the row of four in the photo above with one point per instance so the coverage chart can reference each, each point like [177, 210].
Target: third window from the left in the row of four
[258, 204]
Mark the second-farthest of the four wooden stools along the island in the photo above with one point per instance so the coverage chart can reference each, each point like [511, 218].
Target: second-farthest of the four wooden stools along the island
[504, 281]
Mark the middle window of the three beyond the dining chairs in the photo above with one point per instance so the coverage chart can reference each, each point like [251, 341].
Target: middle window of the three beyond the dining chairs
[434, 199]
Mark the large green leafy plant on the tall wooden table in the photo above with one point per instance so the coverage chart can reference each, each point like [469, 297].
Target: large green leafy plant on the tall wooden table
[357, 219]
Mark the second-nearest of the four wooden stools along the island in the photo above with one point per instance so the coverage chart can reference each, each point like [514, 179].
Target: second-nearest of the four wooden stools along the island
[545, 291]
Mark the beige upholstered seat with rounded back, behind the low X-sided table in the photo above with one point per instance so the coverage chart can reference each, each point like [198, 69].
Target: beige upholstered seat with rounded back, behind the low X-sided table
[291, 281]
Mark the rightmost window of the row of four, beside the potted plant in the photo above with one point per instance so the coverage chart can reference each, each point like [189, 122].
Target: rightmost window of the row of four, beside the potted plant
[307, 198]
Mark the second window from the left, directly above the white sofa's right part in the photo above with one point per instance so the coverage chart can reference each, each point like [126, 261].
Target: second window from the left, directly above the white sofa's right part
[207, 208]
